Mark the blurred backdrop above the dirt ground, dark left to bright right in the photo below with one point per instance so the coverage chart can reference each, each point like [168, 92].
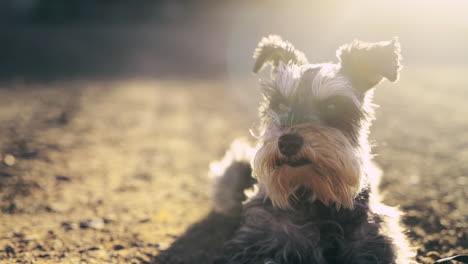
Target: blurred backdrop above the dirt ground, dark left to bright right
[117, 39]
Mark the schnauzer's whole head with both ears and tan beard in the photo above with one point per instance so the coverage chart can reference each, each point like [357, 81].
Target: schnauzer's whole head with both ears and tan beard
[315, 119]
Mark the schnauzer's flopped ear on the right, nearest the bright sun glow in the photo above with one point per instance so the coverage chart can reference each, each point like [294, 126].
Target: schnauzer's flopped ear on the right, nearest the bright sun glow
[366, 64]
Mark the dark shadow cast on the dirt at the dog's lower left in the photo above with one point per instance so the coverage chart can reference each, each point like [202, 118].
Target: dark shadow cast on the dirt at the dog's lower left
[202, 242]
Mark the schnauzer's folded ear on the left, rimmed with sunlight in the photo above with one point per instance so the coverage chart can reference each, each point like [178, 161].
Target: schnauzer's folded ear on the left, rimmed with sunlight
[273, 49]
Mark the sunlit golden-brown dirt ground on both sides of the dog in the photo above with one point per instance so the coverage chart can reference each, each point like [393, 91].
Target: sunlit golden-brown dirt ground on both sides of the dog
[116, 172]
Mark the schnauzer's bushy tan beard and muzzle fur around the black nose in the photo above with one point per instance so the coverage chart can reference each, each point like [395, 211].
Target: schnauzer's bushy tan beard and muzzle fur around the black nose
[327, 164]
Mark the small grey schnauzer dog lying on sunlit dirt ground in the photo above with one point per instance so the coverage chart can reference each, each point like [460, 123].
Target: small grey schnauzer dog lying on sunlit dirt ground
[315, 197]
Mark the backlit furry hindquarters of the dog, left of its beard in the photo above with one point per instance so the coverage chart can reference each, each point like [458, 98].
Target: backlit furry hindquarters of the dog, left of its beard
[233, 175]
